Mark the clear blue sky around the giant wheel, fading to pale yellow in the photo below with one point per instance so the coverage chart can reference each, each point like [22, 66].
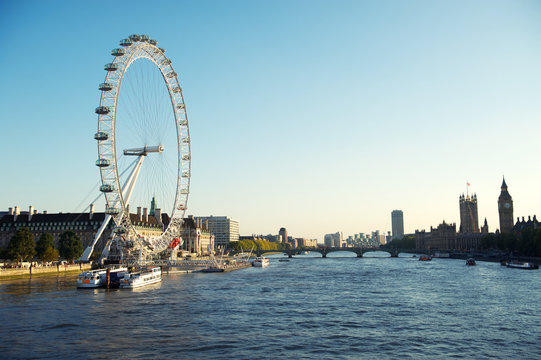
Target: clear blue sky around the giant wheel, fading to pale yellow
[320, 116]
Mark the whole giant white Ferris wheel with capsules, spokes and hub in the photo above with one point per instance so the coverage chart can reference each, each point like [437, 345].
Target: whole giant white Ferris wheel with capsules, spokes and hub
[143, 145]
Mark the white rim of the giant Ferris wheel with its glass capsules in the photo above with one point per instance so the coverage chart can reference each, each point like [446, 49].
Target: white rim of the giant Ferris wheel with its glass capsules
[133, 49]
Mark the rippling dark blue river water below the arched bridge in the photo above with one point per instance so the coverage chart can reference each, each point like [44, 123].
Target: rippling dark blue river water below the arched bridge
[307, 308]
